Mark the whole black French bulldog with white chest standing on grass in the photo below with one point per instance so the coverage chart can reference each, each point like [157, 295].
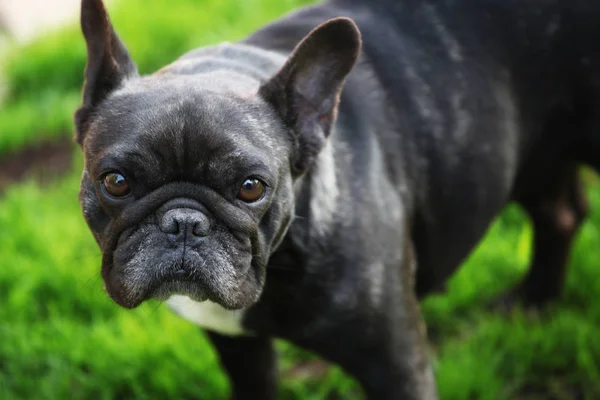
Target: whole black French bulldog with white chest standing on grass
[242, 185]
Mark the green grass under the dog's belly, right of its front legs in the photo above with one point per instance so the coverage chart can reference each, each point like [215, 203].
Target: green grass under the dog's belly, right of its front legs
[550, 355]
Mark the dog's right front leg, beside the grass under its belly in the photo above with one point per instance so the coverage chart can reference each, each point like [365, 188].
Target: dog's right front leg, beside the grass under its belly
[384, 346]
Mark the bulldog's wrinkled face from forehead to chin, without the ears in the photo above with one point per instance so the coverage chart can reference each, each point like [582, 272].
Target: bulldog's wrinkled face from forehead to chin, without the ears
[186, 191]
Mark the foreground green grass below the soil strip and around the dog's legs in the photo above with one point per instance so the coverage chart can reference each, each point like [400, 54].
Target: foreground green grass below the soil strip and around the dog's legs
[61, 336]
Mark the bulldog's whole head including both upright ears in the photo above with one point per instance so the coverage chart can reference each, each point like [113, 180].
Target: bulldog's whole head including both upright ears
[188, 184]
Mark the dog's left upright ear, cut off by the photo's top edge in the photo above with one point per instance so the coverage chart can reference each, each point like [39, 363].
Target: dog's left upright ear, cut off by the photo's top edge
[108, 61]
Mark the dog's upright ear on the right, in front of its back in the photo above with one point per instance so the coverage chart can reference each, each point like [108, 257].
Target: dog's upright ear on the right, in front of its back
[306, 90]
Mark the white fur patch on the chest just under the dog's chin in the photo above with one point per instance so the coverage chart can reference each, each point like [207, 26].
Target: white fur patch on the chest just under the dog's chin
[209, 315]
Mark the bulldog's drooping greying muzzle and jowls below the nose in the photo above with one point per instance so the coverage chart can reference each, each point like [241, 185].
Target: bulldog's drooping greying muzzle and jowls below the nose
[148, 270]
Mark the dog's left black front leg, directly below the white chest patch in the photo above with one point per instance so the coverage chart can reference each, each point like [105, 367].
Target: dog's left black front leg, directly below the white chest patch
[251, 365]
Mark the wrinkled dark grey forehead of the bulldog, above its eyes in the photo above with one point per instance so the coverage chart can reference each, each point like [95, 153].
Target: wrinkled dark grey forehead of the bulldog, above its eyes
[168, 128]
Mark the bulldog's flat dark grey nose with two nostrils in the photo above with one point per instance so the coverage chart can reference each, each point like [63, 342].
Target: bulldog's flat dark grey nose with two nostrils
[185, 223]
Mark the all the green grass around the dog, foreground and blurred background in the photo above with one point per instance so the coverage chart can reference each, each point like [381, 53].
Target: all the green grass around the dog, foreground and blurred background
[61, 337]
